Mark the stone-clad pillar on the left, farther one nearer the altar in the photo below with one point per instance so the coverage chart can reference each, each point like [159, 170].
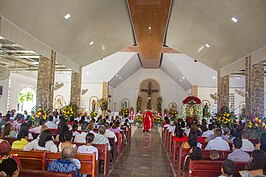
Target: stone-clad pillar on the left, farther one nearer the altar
[75, 94]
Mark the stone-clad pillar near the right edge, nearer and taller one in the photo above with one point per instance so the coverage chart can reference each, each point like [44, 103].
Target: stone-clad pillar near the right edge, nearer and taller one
[254, 88]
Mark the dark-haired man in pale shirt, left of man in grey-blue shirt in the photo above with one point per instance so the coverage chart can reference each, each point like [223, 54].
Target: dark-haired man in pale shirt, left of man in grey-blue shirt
[217, 143]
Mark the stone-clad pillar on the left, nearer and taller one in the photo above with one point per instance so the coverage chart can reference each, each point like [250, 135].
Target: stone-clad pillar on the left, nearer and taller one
[45, 82]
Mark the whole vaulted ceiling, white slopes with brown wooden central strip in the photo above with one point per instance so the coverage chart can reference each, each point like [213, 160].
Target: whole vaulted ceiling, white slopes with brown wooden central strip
[201, 29]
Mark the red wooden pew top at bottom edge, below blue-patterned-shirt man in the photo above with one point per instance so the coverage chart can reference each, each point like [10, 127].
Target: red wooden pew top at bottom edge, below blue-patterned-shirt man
[40, 173]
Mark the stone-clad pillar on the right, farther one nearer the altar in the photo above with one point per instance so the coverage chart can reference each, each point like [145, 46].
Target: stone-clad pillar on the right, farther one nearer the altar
[223, 91]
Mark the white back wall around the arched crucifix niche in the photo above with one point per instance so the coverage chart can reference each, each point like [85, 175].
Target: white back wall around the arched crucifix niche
[169, 89]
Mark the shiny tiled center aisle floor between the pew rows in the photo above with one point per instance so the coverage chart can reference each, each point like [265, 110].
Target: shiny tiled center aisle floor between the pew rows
[143, 156]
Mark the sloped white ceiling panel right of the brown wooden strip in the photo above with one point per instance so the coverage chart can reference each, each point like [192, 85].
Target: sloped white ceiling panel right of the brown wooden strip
[195, 23]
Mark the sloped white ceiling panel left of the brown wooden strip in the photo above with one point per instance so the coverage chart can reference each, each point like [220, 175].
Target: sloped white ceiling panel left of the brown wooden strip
[106, 23]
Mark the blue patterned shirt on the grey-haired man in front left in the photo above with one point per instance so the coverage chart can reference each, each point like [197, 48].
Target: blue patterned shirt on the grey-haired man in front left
[60, 165]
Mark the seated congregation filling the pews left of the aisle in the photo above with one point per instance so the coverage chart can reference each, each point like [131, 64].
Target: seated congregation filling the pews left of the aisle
[42, 138]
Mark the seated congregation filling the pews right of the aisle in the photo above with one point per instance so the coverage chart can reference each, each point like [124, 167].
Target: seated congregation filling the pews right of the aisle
[211, 136]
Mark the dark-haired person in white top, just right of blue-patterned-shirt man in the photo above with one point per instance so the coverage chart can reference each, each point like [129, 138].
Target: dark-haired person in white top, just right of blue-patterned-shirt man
[88, 148]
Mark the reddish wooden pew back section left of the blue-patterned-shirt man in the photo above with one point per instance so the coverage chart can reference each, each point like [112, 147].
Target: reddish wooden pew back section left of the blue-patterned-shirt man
[32, 160]
